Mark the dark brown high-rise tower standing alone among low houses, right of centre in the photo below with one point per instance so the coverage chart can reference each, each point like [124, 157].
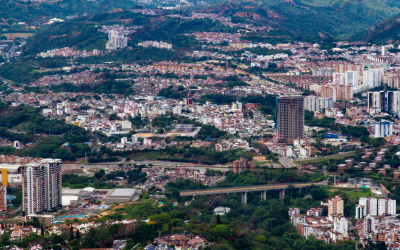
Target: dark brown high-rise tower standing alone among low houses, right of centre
[289, 118]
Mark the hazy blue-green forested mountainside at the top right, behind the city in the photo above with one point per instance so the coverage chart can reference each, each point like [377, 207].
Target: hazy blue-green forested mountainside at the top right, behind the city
[310, 18]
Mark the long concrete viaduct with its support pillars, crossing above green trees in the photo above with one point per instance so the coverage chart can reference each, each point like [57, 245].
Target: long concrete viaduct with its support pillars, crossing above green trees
[262, 188]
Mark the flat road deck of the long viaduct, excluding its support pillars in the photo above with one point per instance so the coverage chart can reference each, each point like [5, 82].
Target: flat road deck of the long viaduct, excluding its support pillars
[246, 189]
